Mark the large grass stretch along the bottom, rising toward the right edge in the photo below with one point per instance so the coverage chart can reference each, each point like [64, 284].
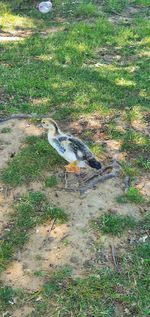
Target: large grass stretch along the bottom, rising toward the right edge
[101, 291]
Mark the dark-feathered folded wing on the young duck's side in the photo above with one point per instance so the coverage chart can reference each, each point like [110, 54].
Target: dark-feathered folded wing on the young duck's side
[80, 149]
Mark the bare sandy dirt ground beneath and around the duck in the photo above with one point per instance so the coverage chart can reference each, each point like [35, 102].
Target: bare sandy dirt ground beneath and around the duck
[72, 243]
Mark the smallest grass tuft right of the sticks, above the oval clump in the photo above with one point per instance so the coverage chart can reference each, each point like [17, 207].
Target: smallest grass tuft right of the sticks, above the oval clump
[133, 195]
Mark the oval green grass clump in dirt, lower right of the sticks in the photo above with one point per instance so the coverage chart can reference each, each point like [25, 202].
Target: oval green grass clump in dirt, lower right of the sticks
[114, 224]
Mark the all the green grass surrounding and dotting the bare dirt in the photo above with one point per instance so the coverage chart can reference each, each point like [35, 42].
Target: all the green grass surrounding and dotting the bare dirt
[87, 65]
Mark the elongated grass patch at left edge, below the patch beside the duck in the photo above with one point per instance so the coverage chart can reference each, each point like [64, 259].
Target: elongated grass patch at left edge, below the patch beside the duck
[31, 210]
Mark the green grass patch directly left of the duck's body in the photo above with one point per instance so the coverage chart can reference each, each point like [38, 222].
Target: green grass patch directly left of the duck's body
[29, 163]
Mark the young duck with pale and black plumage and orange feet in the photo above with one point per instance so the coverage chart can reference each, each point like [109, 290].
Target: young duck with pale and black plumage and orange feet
[72, 149]
